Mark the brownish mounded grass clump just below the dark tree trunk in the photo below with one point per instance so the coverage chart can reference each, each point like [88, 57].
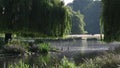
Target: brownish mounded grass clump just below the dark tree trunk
[15, 48]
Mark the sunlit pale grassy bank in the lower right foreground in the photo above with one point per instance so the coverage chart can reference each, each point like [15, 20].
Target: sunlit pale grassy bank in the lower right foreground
[109, 59]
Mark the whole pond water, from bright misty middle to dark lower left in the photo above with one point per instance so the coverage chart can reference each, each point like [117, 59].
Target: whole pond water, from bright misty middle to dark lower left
[74, 50]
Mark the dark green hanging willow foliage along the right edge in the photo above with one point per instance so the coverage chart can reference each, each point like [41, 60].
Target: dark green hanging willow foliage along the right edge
[110, 20]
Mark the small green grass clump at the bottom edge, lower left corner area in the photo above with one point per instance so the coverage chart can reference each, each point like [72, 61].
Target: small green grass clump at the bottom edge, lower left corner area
[20, 64]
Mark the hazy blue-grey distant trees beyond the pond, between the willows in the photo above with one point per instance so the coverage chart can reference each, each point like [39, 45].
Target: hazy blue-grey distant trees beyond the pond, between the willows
[91, 11]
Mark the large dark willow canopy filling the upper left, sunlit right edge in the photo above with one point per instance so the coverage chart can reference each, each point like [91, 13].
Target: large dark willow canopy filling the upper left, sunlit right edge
[46, 17]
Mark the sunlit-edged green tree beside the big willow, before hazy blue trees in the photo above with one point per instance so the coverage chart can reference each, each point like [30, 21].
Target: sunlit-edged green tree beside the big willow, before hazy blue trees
[77, 20]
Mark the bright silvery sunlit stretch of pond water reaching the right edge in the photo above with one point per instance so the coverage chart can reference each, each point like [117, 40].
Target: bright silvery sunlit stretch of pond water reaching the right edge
[83, 45]
